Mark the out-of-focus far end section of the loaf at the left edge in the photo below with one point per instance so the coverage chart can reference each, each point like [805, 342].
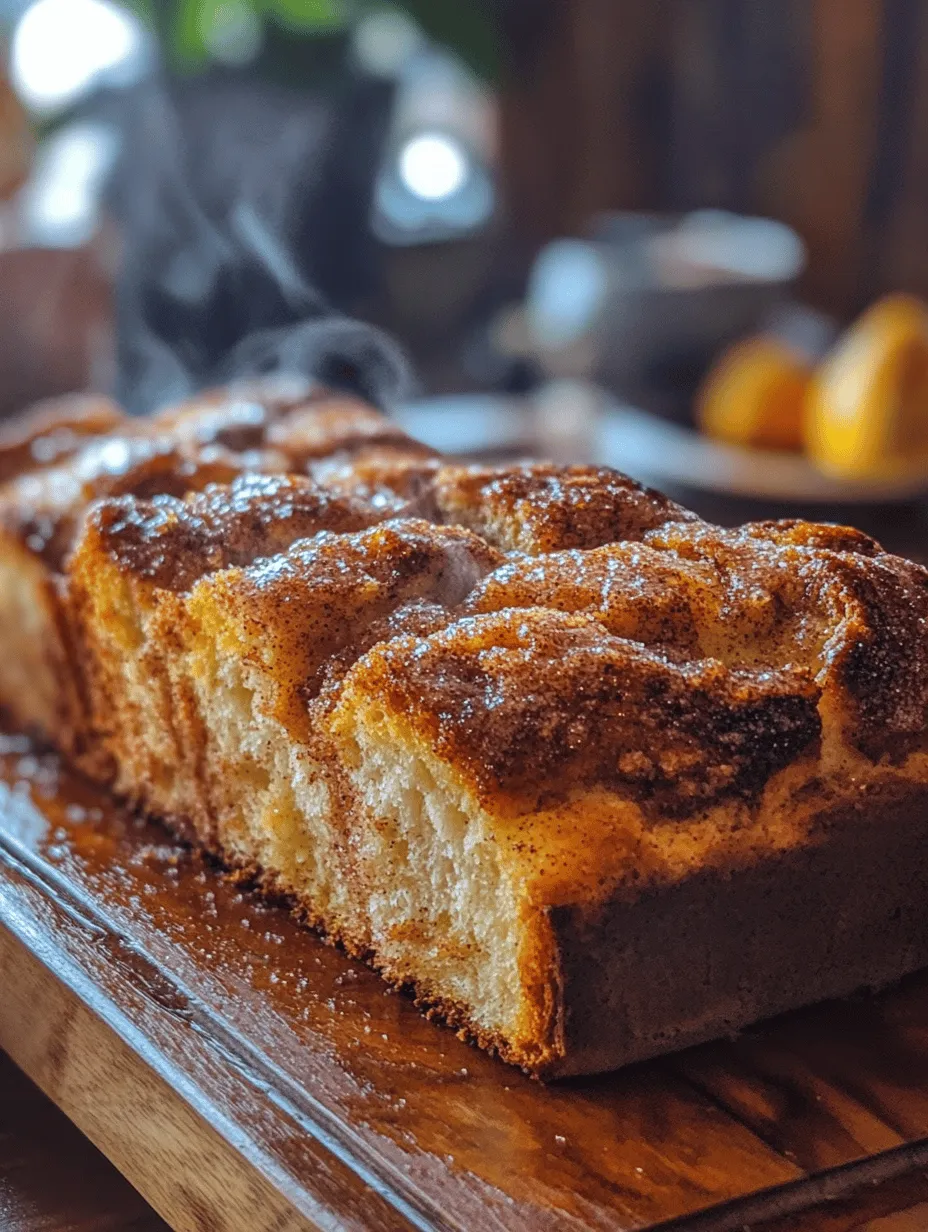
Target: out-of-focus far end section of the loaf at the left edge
[63, 458]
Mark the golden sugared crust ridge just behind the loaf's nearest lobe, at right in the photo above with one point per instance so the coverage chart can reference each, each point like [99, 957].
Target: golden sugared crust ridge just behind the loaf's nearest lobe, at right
[768, 594]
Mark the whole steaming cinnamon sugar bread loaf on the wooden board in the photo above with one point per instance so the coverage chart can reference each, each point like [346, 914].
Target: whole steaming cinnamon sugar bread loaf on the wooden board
[597, 779]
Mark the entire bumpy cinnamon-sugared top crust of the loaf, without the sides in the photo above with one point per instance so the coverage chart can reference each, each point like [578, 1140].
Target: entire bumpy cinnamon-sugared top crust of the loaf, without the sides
[549, 630]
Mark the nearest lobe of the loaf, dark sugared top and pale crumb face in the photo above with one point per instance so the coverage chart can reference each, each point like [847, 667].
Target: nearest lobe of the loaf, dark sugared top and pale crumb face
[518, 793]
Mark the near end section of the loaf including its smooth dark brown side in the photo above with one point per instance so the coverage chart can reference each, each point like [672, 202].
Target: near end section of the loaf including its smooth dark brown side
[649, 849]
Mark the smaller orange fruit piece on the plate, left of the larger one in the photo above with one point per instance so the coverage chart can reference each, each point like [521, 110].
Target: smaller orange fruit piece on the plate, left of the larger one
[755, 395]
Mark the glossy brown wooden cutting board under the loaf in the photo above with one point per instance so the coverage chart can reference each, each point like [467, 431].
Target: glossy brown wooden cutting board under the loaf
[247, 1077]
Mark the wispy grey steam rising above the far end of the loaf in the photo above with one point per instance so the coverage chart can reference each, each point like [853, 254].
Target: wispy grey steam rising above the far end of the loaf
[201, 302]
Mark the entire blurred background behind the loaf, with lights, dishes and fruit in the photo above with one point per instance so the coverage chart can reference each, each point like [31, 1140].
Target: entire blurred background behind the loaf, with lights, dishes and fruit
[688, 238]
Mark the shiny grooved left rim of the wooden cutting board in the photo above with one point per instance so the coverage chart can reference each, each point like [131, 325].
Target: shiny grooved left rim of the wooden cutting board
[75, 946]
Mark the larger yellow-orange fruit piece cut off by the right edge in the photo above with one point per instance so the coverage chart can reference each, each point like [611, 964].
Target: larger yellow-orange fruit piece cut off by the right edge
[867, 411]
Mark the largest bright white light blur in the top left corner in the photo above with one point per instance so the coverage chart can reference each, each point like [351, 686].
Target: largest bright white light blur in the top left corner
[61, 46]
